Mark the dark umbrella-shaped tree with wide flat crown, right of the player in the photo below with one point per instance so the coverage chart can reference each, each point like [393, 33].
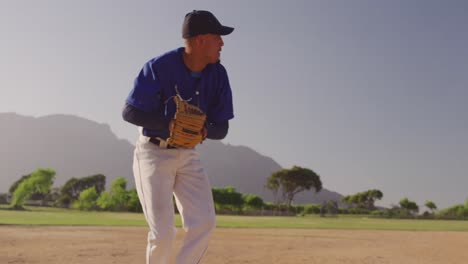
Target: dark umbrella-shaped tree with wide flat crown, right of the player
[290, 182]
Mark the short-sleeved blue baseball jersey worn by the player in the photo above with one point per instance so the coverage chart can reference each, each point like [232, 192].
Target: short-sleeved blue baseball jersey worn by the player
[156, 85]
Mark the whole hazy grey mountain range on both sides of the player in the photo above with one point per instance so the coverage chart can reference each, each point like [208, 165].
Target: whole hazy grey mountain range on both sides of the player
[77, 147]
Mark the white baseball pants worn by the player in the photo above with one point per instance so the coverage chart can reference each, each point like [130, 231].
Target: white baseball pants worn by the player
[159, 174]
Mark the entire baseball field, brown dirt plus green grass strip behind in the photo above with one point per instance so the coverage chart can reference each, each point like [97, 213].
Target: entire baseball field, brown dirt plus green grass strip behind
[45, 235]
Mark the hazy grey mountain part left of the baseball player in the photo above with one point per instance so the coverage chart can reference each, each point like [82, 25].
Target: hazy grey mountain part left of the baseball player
[72, 146]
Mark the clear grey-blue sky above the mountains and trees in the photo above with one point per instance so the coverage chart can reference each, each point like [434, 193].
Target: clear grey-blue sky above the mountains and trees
[368, 94]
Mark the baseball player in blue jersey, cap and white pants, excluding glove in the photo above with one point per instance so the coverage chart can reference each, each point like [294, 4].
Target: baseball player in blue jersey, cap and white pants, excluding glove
[193, 73]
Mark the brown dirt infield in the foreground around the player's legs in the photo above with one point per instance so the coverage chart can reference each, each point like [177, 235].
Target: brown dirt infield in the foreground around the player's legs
[106, 245]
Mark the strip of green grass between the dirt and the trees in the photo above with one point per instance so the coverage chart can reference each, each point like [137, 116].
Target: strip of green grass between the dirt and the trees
[55, 216]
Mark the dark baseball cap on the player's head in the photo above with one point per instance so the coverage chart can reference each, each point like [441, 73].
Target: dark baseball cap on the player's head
[200, 22]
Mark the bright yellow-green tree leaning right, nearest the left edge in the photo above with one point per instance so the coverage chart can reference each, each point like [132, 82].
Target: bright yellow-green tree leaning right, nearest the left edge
[40, 181]
